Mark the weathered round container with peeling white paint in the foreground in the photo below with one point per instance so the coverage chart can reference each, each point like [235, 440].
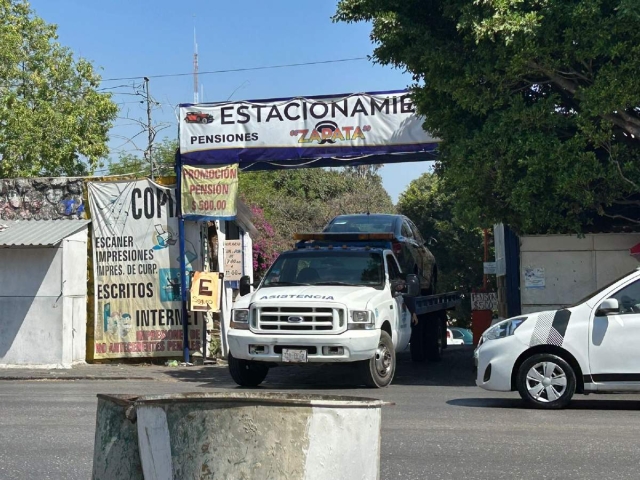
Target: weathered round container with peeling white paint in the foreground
[257, 436]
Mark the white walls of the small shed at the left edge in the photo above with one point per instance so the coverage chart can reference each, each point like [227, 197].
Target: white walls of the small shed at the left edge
[43, 304]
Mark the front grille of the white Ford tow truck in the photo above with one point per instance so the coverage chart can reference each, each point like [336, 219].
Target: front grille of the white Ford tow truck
[298, 319]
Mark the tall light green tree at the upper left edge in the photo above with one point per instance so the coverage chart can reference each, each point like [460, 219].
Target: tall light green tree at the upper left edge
[53, 118]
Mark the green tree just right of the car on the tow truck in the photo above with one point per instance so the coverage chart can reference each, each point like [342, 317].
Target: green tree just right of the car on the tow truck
[458, 249]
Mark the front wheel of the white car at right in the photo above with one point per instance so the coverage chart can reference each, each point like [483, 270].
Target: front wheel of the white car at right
[546, 381]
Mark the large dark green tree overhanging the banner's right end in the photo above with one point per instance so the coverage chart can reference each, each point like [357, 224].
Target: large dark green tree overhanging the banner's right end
[536, 103]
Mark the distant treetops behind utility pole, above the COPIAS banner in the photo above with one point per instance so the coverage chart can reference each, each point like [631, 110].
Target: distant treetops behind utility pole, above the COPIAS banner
[163, 155]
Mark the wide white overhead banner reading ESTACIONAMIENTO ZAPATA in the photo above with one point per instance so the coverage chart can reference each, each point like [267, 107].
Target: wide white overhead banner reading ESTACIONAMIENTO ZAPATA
[294, 129]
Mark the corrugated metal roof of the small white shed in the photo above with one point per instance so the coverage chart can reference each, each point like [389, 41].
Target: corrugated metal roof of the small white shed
[37, 233]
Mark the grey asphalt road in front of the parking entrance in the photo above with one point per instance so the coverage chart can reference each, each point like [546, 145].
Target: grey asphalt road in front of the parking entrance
[442, 427]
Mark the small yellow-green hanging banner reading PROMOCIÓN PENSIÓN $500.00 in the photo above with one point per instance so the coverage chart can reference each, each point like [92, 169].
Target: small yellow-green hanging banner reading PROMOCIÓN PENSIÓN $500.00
[209, 193]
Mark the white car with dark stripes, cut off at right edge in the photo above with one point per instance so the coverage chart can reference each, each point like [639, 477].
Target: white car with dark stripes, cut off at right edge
[589, 347]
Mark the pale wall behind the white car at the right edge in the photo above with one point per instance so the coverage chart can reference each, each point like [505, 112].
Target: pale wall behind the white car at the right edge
[573, 267]
